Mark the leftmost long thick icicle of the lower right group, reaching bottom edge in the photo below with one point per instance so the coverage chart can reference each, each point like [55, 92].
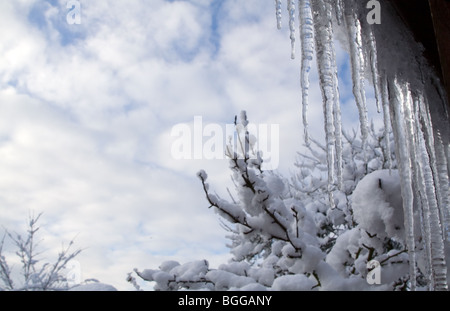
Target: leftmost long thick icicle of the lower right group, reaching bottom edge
[404, 162]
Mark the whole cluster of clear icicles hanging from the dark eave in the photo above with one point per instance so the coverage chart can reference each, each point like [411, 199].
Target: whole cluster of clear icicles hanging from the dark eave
[404, 91]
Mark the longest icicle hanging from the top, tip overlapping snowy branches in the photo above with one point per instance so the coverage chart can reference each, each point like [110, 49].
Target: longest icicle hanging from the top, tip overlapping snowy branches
[326, 62]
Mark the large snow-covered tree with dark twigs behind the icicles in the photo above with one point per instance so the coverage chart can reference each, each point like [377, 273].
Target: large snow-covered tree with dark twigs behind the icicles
[284, 234]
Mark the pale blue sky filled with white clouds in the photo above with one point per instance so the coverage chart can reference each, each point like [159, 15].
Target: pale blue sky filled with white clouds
[87, 112]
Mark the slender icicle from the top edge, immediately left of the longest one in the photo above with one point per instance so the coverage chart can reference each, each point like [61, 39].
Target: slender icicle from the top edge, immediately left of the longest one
[307, 50]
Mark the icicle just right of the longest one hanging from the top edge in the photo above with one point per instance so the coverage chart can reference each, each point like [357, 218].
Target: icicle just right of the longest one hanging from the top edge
[357, 62]
